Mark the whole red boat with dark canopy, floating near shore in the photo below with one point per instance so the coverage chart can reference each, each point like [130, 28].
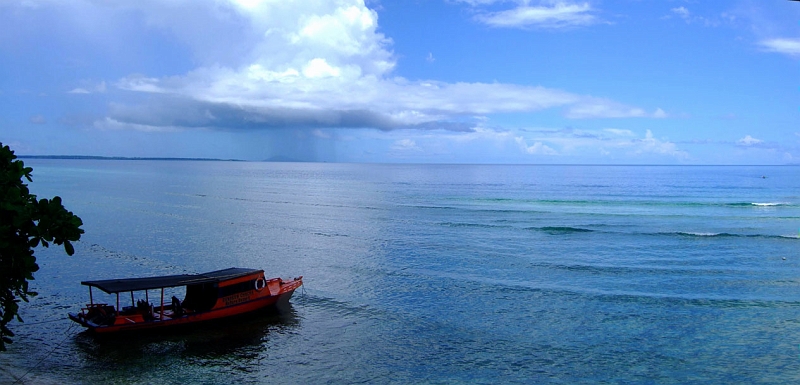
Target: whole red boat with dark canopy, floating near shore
[215, 295]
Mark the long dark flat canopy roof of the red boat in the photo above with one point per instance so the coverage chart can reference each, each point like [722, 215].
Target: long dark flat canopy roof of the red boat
[134, 284]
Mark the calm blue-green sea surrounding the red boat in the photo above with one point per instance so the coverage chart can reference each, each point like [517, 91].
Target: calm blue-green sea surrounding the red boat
[431, 274]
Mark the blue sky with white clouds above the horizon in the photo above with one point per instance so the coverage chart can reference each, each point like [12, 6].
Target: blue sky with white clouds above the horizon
[404, 81]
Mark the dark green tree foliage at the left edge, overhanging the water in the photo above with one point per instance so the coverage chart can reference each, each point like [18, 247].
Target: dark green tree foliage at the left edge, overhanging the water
[25, 223]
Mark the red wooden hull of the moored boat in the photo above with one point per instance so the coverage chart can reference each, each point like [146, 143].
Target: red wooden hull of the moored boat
[226, 307]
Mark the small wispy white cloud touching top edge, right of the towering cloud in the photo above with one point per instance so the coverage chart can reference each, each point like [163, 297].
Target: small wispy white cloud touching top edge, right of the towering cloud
[558, 14]
